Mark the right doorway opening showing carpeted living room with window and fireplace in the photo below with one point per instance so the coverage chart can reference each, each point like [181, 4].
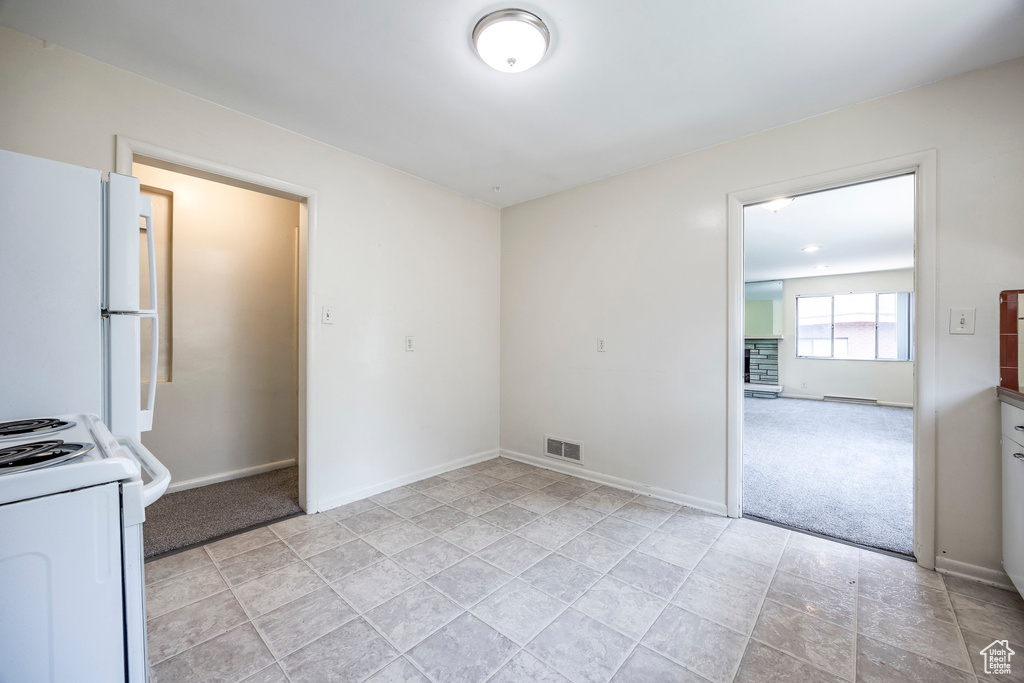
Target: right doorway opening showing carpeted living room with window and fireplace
[829, 362]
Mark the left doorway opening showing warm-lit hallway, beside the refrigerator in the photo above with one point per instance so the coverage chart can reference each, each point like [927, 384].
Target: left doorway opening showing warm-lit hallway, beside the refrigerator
[228, 423]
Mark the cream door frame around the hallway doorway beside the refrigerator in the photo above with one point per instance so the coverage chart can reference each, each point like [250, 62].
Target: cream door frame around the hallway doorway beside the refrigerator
[126, 152]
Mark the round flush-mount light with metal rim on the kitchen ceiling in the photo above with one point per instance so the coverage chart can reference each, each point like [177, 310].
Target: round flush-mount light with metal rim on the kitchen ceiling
[511, 40]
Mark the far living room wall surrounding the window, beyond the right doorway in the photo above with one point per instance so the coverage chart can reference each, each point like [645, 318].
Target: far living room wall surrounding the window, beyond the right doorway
[886, 381]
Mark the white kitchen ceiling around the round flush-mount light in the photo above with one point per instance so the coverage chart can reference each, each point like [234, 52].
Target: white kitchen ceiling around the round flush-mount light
[624, 86]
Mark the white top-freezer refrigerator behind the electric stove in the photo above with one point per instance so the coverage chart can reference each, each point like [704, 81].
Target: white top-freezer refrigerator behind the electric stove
[70, 310]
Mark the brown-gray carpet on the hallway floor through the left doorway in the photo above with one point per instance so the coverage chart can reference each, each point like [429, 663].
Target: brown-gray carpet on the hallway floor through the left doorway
[198, 516]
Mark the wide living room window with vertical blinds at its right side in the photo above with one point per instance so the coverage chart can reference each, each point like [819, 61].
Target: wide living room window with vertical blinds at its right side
[867, 326]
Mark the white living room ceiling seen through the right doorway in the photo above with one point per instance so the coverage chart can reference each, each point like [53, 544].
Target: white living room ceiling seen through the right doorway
[860, 229]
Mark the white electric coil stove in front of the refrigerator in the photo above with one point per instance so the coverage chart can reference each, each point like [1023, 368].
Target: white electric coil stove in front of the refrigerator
[73, 501]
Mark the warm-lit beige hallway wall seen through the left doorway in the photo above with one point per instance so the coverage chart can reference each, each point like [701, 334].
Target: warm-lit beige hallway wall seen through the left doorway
[231, 404]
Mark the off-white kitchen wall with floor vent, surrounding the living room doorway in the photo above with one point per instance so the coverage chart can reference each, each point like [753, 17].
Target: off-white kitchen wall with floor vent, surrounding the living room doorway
[641, 259]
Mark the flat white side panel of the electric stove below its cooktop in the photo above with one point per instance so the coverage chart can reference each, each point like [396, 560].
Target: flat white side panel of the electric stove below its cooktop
[62, 617]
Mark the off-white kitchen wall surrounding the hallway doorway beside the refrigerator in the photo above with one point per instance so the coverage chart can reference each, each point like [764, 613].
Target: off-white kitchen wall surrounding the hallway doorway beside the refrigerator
[396, 255]
